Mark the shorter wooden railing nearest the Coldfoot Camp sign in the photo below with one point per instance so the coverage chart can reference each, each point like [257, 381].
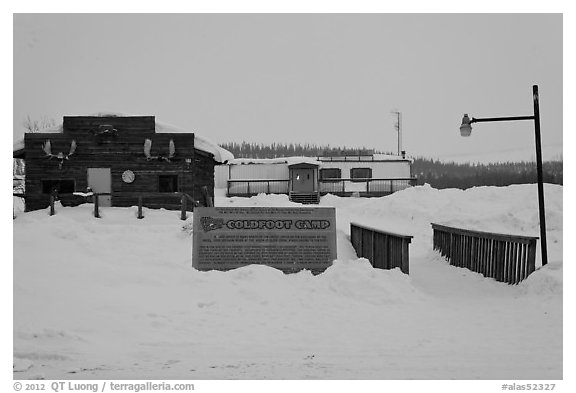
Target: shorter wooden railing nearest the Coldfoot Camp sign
[385, 250]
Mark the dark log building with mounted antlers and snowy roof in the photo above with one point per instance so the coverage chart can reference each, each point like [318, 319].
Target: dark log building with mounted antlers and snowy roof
[123, 158]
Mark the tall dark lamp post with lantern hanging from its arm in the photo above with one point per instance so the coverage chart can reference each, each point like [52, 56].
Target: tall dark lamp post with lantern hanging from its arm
[466, 130]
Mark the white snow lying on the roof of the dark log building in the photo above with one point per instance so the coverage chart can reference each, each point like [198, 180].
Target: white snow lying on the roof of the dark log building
[200, 142]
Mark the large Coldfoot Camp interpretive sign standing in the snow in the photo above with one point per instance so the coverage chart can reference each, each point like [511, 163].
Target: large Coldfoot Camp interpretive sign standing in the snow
[289, 239]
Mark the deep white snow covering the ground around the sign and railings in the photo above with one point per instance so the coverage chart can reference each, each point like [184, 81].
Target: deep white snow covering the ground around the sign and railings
[117, 298]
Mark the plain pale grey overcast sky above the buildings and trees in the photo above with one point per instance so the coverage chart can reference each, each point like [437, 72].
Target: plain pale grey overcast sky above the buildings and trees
[306, 78]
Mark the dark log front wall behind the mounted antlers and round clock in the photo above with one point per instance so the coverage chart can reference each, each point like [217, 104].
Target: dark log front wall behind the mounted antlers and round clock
[120, 150]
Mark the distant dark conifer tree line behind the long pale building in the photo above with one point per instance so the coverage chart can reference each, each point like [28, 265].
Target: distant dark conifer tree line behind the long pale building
[436, 173]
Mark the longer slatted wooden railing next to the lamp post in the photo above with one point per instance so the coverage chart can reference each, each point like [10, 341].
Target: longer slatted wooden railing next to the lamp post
[506, 258]
